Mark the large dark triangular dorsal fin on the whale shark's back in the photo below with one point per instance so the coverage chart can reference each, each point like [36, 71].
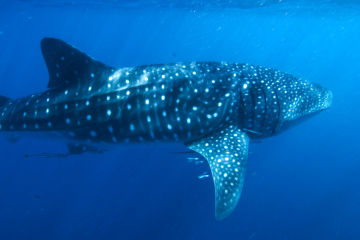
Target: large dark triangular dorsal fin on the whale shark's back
[67, 65]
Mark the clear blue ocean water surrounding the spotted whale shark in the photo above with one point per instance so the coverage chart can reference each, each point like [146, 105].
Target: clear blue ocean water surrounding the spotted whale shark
[302, 184]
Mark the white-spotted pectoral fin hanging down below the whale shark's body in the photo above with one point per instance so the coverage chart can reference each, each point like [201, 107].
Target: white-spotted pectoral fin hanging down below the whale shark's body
[226, 152]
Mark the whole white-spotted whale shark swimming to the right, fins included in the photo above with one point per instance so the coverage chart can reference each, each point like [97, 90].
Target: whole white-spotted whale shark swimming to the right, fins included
[214, 108]
